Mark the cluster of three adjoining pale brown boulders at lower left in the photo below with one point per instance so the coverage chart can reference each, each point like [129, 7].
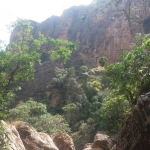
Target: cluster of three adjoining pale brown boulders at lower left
[22, 136]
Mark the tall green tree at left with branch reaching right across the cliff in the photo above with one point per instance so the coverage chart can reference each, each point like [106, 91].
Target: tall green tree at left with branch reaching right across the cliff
[17, 61]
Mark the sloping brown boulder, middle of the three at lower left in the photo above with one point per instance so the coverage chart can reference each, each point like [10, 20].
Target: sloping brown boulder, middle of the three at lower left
[33, 140]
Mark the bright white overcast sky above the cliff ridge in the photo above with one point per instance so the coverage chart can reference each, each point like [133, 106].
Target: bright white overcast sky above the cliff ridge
[37, 10]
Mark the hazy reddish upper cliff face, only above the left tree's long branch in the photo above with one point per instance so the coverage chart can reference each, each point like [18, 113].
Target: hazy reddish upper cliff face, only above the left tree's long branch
[97, 36]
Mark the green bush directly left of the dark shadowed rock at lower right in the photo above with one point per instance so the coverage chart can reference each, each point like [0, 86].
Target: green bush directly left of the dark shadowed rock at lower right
[113, 112]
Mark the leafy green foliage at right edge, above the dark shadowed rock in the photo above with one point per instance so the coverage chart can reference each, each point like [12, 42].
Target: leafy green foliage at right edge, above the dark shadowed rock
[131, 76]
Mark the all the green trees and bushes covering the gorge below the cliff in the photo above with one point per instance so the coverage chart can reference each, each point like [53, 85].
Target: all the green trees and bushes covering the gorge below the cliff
[88, 100]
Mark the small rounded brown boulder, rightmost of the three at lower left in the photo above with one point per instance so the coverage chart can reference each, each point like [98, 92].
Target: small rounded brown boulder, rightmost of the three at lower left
[64, 142]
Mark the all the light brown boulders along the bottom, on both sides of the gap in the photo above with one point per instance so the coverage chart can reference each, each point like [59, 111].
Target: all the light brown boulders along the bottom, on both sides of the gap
[22, 136]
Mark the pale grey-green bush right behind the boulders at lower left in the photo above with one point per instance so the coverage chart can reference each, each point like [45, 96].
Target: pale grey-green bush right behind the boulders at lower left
[36, 114]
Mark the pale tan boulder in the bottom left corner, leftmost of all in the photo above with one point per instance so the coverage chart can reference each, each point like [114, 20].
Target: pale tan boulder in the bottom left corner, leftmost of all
[12, 137]
